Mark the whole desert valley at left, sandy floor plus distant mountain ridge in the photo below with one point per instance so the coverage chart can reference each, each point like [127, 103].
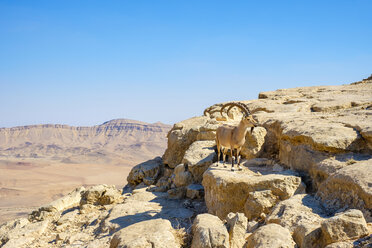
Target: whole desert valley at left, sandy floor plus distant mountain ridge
[40, 163]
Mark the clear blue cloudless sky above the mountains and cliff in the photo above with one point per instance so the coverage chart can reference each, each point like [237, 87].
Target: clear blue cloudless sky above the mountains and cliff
[86, 62]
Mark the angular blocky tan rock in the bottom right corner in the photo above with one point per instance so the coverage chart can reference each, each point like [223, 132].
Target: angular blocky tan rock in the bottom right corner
[344, 226]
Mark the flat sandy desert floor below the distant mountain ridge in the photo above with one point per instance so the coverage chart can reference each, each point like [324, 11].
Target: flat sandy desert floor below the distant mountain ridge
[26, 185]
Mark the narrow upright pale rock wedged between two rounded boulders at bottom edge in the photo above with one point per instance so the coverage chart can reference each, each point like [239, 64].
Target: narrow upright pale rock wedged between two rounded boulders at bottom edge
[237, 226]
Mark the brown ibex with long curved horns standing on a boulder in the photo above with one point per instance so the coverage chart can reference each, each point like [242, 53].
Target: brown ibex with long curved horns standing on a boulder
[233, 137]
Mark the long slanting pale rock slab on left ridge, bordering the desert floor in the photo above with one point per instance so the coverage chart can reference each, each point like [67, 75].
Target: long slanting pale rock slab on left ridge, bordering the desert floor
[53, 209]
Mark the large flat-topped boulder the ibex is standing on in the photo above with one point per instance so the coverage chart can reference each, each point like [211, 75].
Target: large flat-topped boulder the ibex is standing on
[227, 191]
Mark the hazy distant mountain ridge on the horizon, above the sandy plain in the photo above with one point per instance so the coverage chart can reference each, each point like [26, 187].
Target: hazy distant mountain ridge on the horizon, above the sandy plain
[119, 141]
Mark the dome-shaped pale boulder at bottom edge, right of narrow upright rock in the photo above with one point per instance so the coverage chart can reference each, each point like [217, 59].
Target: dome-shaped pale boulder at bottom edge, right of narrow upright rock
[271, 235]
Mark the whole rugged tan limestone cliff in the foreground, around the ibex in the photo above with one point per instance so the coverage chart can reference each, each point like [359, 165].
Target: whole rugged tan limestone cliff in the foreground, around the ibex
[306, 181]
